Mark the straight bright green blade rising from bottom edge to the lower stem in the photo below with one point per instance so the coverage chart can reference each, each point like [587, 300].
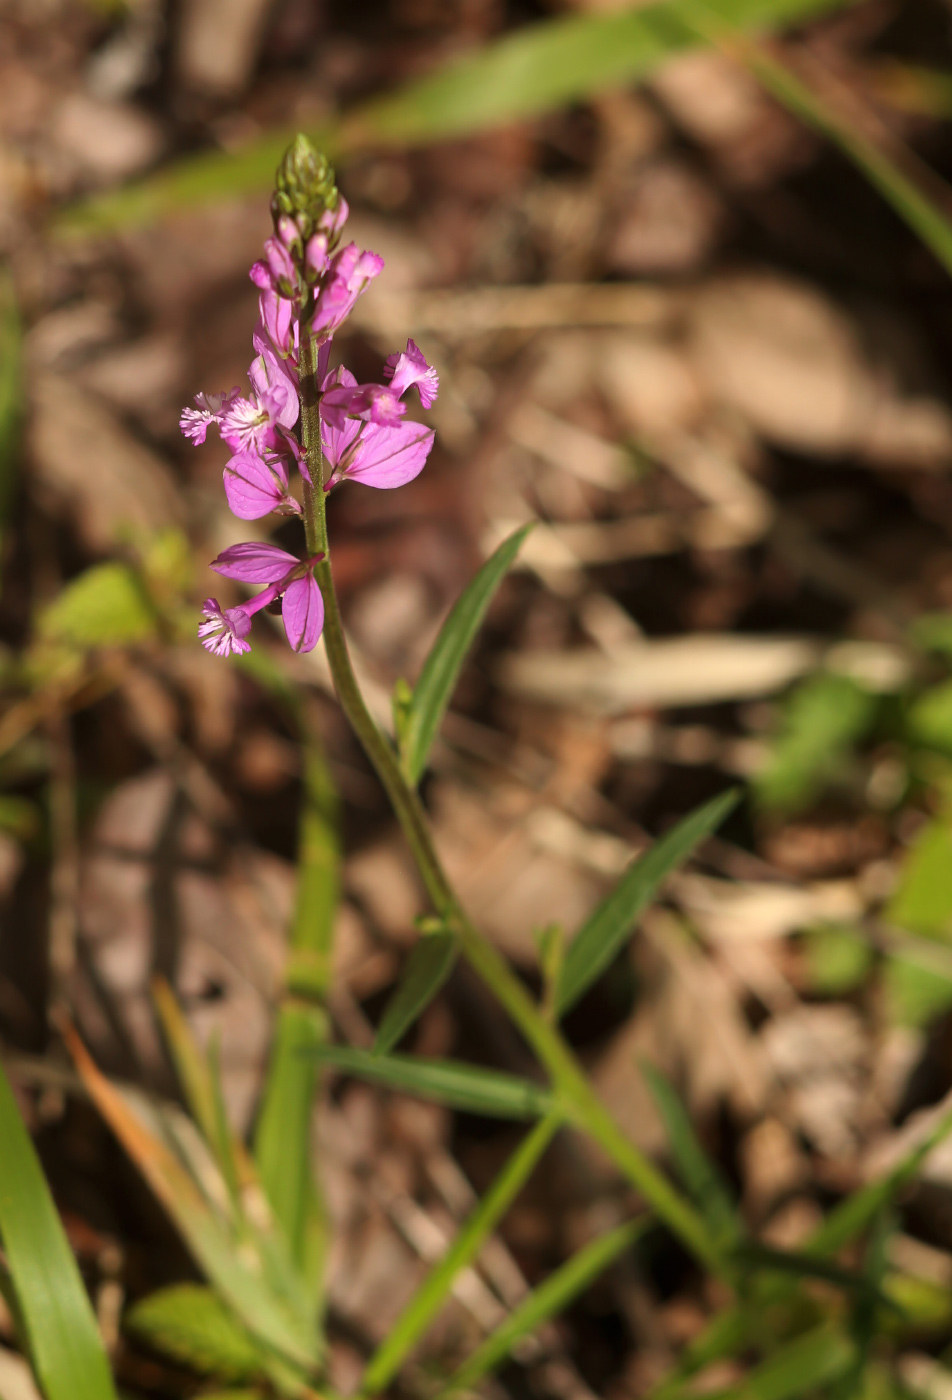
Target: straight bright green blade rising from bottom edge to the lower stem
[436, 1289]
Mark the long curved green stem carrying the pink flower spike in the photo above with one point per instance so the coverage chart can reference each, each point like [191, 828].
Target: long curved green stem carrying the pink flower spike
[582, 1104]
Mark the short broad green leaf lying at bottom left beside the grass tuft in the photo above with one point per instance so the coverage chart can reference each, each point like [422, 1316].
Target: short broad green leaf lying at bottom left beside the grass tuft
[191, 1325]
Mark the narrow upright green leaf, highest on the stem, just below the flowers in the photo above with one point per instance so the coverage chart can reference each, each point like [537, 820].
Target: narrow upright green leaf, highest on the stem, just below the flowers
[423, 715]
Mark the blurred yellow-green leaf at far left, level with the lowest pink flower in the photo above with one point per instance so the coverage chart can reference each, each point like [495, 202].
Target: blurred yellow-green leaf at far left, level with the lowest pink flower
[104, 607]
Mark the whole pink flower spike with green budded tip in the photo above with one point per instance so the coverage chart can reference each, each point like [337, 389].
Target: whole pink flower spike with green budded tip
[307, 290]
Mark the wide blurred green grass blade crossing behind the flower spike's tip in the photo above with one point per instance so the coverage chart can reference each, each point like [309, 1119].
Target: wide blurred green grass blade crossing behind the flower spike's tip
[520, 76]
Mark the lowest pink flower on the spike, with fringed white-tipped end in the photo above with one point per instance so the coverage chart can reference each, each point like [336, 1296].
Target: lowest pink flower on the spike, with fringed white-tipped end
[261, 563]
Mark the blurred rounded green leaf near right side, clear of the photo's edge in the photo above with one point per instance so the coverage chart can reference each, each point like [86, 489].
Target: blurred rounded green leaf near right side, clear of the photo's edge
[822, 720]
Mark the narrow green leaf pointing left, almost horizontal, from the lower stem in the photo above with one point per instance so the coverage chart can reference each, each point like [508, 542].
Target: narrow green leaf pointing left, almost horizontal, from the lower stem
[449, 1081]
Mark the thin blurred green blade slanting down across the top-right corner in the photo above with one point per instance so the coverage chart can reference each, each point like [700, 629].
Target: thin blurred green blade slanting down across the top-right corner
[884, 173]
